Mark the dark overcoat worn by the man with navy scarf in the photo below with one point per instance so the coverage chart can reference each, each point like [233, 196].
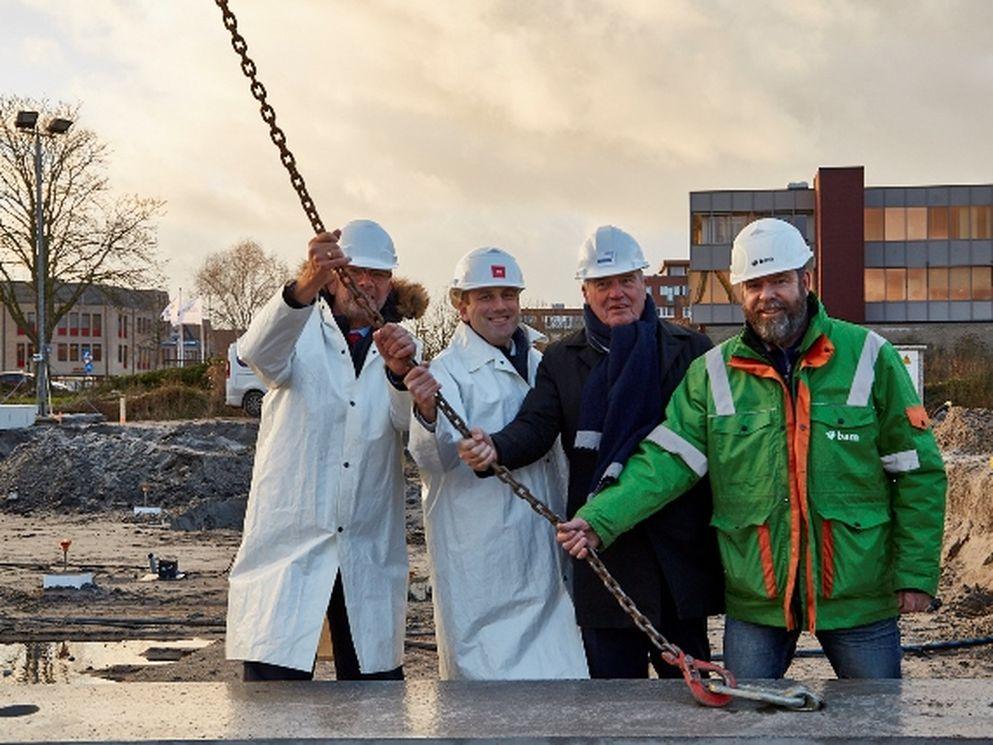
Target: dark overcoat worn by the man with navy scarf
[670, 557]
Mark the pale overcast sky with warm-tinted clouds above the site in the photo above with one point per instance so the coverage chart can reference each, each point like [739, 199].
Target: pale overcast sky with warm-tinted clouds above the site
[518, 124]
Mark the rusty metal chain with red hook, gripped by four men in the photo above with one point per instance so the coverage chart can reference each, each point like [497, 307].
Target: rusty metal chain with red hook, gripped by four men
[712, 692]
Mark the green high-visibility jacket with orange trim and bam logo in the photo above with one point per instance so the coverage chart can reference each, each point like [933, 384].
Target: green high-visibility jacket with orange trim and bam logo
[829, 494]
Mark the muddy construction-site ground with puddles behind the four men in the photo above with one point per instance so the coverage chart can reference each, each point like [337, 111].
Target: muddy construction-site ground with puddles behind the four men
[81, 484]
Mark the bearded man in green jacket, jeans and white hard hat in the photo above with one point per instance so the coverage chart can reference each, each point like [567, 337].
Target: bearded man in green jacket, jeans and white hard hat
[829, 489]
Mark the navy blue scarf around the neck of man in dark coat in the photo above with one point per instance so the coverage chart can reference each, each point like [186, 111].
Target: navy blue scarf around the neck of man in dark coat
[622, 397]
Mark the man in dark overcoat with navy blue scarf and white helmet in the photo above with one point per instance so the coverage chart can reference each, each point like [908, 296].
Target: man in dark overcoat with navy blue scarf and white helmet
[603, 388]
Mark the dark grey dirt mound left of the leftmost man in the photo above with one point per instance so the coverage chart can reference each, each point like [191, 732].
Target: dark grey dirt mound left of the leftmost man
[97, 467]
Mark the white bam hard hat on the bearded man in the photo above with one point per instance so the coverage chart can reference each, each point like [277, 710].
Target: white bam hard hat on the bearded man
[767, 246]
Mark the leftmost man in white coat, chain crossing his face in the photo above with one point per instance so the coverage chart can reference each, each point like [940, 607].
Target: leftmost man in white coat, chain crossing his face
[324, 530]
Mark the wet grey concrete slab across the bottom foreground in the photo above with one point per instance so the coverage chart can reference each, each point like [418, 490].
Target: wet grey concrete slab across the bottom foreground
[581, 711]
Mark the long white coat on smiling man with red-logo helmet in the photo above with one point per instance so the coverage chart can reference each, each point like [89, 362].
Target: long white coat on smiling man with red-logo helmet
[501, 606]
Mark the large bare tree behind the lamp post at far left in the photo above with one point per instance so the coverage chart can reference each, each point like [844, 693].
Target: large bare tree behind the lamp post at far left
[93, 238]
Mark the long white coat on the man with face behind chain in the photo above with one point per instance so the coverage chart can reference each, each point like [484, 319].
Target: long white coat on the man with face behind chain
[327, 494]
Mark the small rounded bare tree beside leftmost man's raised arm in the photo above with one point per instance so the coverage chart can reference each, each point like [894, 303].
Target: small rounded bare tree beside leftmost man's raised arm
[239, 281]
